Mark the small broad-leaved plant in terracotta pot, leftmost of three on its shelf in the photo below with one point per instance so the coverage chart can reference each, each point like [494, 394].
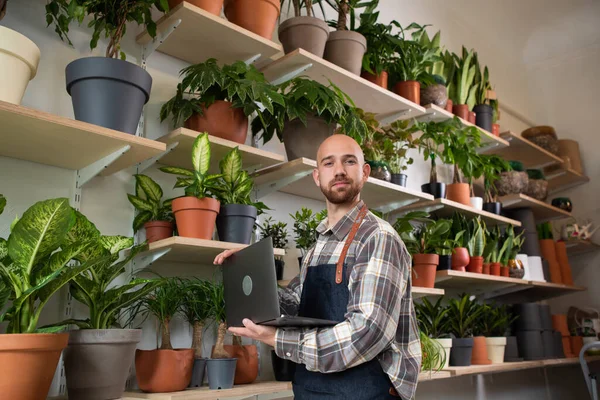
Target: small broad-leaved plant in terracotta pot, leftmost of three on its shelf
[154, 214]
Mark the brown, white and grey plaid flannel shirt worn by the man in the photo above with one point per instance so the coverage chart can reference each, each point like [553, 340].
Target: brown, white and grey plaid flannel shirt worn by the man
[380, 320]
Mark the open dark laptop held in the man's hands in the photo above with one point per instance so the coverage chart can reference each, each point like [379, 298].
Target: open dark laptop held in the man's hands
[251, 290]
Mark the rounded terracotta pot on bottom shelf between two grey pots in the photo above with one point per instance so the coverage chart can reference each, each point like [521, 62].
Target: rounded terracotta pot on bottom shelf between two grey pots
[162, 371]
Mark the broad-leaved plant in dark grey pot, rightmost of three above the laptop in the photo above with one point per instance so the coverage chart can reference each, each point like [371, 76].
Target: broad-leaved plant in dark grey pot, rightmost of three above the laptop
[237, 215]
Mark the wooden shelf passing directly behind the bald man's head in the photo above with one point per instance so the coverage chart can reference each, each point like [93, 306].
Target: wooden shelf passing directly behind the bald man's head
[294, 177]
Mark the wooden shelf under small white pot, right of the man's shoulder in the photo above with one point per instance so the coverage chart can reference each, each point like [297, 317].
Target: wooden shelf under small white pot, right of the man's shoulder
[446, 208]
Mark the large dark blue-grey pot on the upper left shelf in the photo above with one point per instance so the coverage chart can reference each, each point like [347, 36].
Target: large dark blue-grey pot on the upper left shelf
[108, 92]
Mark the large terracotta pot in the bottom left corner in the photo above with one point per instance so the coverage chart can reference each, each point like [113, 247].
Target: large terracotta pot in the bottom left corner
[27, 364]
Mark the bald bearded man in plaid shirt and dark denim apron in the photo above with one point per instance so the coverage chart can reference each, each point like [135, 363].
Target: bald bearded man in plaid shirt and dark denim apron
[358, 273]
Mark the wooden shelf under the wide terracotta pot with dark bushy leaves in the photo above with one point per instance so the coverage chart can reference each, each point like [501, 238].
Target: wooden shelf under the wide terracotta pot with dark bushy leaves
[181, 155]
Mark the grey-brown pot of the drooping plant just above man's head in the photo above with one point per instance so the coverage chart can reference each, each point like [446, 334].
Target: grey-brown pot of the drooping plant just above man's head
[302, 140]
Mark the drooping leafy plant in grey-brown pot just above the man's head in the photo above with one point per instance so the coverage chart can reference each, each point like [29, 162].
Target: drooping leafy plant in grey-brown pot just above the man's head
[310, 115]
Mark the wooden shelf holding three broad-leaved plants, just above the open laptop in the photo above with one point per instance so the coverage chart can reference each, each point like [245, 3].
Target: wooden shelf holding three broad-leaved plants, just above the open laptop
[193, 251]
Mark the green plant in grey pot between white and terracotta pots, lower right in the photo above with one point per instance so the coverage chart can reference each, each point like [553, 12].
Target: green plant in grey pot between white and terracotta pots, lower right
[462, 316]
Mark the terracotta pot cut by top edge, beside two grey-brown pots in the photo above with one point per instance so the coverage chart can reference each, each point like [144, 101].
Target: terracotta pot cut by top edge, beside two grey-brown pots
[258, 16]
